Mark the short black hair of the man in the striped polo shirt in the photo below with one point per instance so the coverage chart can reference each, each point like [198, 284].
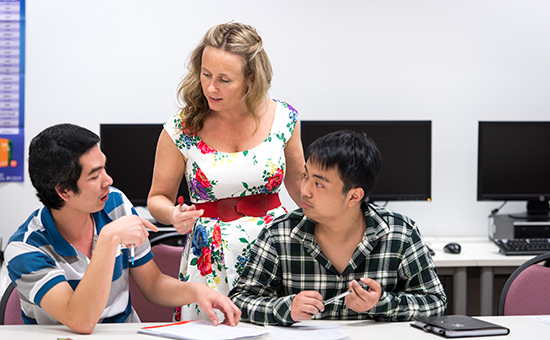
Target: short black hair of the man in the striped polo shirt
[54, 159]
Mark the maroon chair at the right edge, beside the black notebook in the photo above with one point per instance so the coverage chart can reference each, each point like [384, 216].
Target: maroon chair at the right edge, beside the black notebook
[527, 291]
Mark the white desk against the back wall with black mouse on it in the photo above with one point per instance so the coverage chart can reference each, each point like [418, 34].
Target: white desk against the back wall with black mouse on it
[476, 252]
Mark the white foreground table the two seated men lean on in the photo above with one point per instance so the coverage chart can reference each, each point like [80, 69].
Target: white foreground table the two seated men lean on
[521, 327]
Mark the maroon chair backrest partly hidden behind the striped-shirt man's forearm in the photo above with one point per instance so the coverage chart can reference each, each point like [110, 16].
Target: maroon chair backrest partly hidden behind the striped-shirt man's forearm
[168, 260]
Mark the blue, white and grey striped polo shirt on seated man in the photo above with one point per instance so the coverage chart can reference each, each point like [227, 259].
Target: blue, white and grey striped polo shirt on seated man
[38, 258]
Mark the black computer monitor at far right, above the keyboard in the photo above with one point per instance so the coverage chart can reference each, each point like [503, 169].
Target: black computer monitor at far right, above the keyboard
[514, 165]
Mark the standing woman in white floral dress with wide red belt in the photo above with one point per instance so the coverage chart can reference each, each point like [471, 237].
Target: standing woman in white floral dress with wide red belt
[234, 146]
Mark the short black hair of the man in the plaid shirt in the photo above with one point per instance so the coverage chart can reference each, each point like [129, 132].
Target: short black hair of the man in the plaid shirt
[354, 154]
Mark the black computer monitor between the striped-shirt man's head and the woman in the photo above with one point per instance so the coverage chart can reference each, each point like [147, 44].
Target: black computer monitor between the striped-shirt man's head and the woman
[130, 151]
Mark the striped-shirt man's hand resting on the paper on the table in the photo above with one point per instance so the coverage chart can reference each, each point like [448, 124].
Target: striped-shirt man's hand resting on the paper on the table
[208, 299]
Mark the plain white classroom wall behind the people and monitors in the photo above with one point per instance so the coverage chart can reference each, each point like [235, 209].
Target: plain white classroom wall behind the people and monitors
[451, 62]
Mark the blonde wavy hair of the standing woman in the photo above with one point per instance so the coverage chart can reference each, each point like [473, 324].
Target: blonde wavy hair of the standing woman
[236, 38]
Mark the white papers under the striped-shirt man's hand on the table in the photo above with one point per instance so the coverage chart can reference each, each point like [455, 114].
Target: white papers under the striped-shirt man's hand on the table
[204, 330]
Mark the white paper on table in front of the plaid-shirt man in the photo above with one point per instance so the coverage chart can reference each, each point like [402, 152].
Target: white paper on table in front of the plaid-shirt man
[298, 331]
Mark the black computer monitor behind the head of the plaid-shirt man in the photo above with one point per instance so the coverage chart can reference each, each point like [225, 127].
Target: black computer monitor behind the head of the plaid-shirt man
[406, 150]
